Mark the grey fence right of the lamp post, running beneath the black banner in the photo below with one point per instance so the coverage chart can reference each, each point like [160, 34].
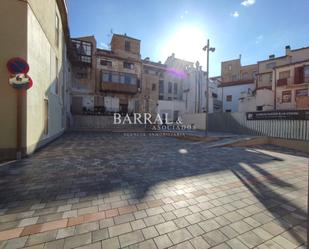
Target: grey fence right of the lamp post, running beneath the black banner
[238, 123]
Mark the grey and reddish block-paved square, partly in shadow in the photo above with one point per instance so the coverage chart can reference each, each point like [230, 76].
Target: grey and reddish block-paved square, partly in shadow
[104, 190]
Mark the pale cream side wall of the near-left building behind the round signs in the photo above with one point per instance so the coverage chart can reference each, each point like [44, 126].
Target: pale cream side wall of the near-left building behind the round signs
[41, 56]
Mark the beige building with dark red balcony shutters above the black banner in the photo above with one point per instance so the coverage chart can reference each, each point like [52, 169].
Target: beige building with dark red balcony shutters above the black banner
[278, 73]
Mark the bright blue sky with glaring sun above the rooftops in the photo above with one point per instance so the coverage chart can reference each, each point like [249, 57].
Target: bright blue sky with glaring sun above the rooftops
[253, 29]
